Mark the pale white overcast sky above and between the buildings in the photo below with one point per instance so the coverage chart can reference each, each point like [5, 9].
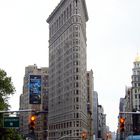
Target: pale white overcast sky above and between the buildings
[113, 34]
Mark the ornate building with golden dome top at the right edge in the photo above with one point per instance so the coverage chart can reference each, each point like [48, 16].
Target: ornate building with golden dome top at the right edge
[131, 103]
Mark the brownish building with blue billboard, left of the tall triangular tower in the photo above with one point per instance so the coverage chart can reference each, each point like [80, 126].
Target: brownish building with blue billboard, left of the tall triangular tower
[42, 105]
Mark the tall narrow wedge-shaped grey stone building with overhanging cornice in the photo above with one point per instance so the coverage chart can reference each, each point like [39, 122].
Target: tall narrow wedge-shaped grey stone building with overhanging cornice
[67, 70]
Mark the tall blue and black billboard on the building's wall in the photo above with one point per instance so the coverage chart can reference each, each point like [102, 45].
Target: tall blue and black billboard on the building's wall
[35, 89]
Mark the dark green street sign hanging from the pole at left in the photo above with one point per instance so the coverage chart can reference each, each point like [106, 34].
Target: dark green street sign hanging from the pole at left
[11, 122]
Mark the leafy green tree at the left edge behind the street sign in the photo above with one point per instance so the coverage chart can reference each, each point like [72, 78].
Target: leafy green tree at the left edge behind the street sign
[6, 89]
